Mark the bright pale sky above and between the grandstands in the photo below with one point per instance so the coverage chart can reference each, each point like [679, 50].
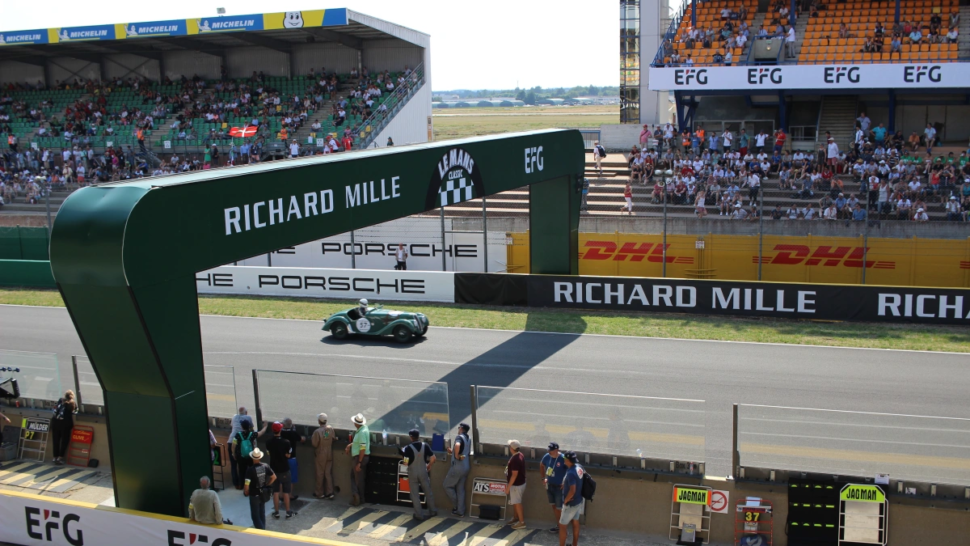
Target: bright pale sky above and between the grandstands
[497, 44]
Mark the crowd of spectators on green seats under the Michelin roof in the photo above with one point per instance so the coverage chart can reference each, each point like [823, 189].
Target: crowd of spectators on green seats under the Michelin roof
[27, 172]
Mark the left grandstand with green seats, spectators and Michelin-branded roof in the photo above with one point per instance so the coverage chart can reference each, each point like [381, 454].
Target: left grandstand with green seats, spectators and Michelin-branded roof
[202, 93]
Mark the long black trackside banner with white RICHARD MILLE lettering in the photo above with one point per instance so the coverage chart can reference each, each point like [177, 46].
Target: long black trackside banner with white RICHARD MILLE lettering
[779, 300]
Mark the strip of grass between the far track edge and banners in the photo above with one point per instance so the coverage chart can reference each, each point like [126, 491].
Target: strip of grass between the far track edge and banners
[843, 334]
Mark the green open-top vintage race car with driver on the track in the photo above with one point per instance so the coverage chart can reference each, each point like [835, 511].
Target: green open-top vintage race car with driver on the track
[376, 321]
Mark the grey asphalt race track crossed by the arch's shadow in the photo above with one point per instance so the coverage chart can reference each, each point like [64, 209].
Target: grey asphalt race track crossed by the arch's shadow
[705, 377]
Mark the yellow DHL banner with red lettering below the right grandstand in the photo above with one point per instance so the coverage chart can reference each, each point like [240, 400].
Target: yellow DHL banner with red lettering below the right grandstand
[810, 259]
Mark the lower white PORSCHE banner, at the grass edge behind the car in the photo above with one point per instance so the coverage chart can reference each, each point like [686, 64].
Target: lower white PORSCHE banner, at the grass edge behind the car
[374, 285]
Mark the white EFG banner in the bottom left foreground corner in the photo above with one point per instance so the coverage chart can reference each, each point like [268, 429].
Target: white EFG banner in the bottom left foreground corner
[30, 520]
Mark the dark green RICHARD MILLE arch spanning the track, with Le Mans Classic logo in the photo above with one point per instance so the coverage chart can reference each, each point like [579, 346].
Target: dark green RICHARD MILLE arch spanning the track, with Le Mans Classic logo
[124, 257]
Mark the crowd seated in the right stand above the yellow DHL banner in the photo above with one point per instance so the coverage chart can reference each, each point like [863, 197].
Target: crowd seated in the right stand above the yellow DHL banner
[724, 172]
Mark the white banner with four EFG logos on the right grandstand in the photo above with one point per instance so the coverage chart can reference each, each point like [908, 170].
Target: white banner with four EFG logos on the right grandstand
[821, 76]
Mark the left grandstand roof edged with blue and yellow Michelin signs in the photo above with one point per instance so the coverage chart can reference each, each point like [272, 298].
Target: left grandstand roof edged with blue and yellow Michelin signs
[279, 31]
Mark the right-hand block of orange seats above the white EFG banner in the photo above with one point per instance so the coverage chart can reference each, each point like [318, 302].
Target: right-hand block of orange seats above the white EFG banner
[821, 43]
